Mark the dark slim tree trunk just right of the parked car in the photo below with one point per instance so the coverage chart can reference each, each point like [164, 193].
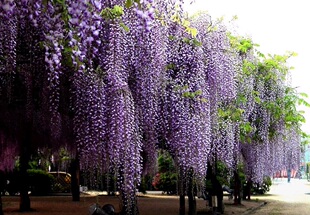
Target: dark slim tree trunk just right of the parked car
[75, 179]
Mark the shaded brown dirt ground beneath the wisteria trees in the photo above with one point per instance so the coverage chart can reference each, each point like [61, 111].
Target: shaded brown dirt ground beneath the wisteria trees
[148, 205]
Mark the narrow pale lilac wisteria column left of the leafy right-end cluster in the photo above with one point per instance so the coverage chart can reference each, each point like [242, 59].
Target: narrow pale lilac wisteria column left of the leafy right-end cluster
[223, 65]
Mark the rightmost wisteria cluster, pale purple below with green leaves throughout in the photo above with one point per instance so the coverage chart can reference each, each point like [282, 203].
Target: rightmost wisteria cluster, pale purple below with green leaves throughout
[273, 137]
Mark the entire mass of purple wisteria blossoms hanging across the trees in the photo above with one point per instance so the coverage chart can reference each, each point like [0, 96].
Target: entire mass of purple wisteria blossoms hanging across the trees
[136, 80]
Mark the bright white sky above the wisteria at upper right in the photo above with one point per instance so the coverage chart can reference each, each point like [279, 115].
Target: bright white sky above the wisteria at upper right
[276, 25]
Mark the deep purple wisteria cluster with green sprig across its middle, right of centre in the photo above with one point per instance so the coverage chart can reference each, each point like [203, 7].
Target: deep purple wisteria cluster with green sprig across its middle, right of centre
[185, 105]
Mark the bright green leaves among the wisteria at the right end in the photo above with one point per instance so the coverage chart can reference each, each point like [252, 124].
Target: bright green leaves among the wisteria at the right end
[272, 71]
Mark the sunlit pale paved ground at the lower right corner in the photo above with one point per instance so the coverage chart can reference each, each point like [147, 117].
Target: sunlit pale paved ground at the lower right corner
[286, 198]
